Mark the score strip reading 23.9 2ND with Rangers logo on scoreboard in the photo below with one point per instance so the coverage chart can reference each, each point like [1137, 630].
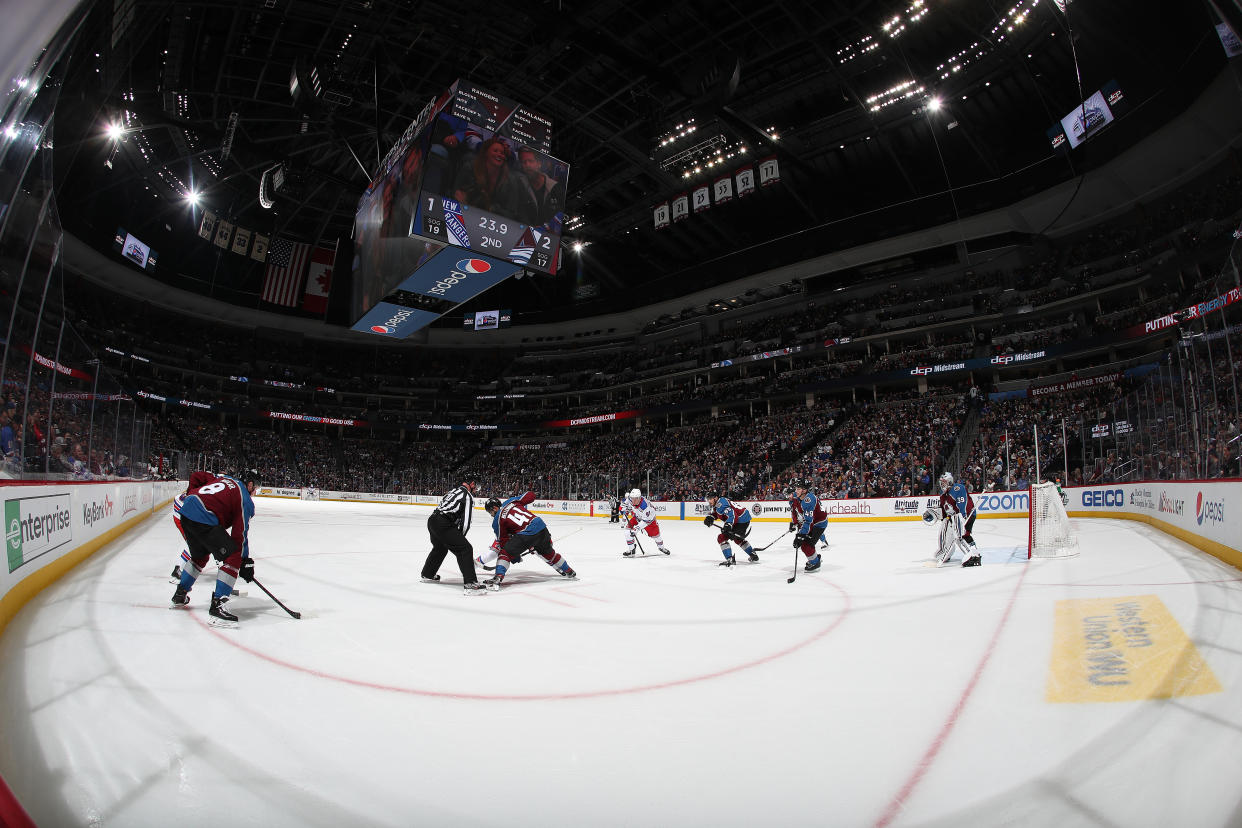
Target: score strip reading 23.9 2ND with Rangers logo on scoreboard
[446, 220]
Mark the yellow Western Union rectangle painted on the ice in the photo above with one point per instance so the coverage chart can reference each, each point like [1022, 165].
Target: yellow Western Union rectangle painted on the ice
[1123, 650]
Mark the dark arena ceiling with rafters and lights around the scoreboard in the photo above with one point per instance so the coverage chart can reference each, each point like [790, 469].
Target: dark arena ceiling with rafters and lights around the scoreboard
[838, 91]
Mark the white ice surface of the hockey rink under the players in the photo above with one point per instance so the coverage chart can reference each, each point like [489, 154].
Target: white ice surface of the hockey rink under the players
[660, 691]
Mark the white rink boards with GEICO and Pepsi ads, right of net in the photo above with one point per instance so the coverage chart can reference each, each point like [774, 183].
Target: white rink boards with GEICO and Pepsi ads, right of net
[1210, 510]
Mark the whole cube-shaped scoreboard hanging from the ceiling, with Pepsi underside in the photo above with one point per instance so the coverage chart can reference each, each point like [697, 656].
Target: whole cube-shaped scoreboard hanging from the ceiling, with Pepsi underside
[466, 199]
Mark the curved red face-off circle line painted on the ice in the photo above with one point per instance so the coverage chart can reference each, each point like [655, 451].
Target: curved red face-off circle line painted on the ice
[230, 637]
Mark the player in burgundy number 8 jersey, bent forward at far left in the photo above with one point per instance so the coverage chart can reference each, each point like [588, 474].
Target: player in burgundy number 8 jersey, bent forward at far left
[215, 520]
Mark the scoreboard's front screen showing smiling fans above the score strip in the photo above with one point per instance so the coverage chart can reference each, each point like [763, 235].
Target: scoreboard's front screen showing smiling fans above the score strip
[487, 193]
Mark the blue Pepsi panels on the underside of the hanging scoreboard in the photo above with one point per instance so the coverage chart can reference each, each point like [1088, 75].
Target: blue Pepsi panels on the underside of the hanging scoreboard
[445, 281]
